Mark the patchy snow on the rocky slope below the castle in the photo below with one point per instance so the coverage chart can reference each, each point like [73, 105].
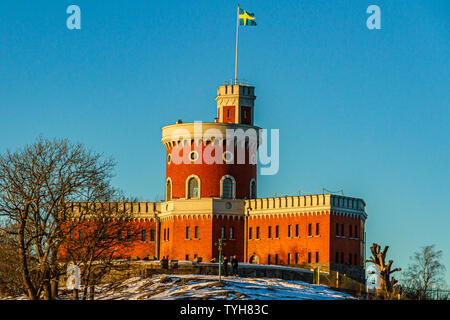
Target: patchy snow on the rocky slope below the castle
[173, 287]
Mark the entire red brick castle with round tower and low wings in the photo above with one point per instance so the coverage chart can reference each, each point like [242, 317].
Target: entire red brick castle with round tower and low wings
[207, 200]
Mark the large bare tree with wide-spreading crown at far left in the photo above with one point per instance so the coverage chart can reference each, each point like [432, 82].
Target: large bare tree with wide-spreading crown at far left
[35, 183]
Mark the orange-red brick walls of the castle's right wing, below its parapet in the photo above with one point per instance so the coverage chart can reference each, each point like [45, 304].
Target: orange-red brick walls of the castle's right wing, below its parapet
[304, 239]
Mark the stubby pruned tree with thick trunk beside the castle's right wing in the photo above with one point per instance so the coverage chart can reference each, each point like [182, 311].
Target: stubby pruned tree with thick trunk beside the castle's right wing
[389, 285]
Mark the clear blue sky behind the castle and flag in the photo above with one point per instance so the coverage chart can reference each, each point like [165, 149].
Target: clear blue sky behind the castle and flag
[361, 110]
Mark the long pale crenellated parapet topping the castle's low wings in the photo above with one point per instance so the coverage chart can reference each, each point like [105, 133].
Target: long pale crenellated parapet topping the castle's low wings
[318, 204]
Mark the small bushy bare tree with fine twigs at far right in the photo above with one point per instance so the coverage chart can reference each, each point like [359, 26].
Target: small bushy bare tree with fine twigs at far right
[424, 273]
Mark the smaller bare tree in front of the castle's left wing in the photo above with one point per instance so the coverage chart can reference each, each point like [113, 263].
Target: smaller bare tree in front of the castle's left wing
[105, 235]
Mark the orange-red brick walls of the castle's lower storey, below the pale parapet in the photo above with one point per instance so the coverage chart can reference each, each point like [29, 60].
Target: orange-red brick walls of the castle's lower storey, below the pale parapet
[271, 239]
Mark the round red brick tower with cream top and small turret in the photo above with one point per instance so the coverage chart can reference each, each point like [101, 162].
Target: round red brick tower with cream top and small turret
[215, 159]
